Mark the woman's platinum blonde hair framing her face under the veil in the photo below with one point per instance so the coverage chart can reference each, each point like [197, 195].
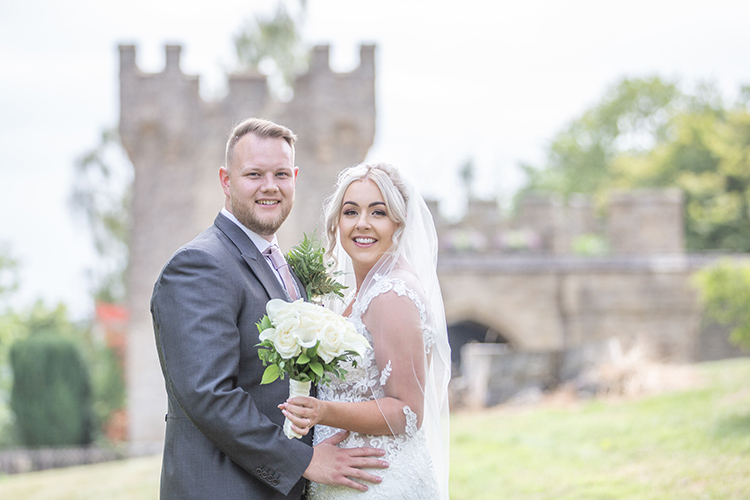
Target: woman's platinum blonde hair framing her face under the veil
[388, 180]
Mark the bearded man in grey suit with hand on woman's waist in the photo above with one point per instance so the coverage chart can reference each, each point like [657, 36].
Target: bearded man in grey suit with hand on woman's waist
[223, 434]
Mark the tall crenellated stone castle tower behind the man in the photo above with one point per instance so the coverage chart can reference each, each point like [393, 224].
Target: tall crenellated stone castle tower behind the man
[176, 141]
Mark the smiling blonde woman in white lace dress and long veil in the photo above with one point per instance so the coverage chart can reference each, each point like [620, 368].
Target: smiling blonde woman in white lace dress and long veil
[379, 231]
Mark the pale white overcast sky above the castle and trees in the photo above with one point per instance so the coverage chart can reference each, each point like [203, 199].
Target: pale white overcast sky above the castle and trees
[490, 80]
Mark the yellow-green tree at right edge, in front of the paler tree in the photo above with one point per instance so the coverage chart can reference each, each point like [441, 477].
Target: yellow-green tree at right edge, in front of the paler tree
[709, 160]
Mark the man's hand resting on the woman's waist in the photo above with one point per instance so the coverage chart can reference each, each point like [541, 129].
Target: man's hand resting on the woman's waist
[339, 466]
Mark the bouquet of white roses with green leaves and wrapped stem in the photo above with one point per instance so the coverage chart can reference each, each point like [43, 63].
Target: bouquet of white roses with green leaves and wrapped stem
[306, 342]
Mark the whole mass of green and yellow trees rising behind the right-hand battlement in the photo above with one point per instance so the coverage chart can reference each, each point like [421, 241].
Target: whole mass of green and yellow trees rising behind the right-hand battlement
[648, 134]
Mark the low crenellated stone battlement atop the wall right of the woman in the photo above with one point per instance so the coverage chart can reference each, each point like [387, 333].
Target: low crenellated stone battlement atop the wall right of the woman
[640, 222]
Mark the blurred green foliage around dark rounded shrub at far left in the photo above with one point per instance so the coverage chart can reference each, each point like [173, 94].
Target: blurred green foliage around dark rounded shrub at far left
[59, 381]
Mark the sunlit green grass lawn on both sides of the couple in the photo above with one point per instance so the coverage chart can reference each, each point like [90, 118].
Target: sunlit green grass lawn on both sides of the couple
[689, 444]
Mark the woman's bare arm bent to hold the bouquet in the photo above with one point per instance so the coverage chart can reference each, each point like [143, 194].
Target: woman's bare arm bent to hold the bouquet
[395, 326]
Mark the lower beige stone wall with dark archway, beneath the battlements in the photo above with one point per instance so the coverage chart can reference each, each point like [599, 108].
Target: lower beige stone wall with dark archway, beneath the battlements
[538, 303]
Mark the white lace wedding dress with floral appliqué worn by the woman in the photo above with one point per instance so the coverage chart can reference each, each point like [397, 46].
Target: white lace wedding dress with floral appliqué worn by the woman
[411, 474]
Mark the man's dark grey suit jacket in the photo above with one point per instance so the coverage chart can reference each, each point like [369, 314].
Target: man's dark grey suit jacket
[223, 437]
